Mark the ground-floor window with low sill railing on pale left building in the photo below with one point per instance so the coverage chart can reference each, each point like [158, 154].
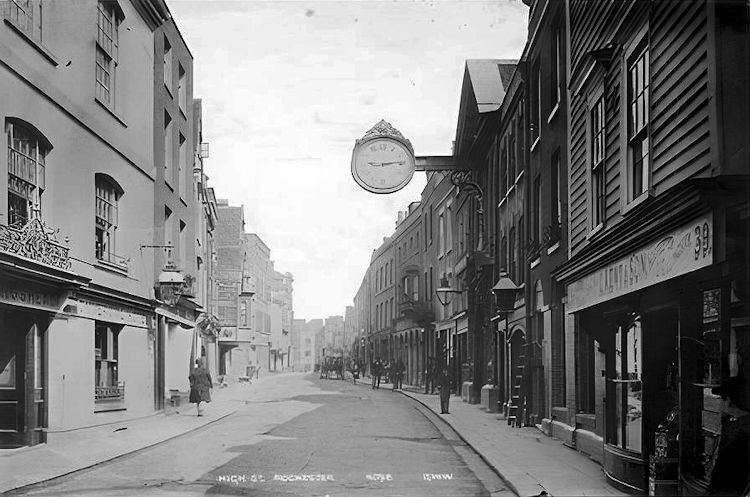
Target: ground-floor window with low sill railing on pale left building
[107, 387]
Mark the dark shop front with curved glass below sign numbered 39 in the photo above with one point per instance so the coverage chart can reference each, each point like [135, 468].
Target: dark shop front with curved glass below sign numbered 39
[658, 315]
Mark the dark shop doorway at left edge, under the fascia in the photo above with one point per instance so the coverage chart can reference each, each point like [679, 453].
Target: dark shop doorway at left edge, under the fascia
[22, 407]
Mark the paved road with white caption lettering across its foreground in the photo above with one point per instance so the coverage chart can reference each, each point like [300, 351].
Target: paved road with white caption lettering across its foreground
[300, 436]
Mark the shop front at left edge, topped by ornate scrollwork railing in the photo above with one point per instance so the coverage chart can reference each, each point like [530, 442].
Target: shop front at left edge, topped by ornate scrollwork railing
[35, 280]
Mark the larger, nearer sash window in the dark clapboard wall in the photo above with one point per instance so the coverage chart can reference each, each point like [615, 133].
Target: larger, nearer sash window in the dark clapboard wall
[639, 164]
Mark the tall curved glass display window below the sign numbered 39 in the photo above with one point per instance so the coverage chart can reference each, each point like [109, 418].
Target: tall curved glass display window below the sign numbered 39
[626, 429]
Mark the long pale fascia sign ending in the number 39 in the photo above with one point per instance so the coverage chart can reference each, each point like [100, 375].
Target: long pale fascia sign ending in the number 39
[679, 252]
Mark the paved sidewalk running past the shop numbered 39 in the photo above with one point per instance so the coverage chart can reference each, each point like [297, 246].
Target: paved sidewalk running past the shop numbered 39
[527, 460]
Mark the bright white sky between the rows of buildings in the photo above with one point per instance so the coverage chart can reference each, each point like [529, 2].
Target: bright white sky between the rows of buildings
[287, 87]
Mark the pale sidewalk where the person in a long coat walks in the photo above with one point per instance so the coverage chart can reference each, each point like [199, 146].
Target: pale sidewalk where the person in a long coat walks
[67, 452]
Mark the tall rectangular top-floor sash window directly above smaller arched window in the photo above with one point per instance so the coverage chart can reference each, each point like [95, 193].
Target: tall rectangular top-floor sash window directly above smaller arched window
[108, 20]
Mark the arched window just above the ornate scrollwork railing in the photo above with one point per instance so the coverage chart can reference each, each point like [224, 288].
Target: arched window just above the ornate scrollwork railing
[27, 152]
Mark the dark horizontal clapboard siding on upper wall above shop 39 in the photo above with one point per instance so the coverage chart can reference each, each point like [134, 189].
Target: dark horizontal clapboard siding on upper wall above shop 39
[679, 86]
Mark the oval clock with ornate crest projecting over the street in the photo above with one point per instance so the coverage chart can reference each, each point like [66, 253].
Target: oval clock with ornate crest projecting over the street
[383, 160]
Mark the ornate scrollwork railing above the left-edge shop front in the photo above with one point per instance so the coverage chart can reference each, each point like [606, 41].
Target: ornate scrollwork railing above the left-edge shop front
[36, 242]
